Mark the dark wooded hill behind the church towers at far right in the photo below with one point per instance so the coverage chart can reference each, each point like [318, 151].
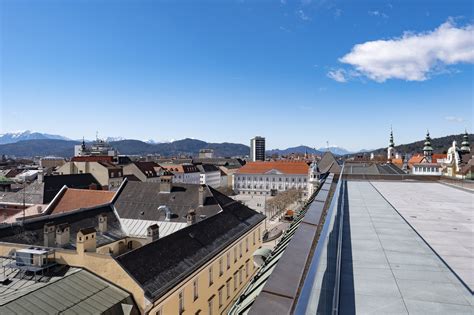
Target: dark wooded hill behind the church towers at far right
[440, 145]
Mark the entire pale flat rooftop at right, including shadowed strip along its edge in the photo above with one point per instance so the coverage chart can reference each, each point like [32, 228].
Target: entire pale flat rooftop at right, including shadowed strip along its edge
[387, 265]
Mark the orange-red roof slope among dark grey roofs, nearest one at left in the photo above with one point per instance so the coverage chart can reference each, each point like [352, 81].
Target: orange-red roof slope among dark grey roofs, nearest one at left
[73, 199]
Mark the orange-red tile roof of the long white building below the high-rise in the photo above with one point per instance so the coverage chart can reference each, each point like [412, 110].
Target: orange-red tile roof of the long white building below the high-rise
[285, 167]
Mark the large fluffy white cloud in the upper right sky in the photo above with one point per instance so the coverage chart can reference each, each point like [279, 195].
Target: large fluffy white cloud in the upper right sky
[412, 57]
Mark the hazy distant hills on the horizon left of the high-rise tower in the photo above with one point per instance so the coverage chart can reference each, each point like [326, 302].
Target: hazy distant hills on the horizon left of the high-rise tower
[65, 148]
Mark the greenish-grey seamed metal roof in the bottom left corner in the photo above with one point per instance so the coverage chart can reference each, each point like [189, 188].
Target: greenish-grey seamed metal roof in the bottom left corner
[60, 290]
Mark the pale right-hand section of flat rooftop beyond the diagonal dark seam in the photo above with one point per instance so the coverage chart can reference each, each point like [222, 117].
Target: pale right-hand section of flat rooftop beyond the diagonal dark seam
[444, 218]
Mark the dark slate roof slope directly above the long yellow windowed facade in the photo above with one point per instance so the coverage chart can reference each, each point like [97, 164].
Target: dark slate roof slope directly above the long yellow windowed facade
[160, 265]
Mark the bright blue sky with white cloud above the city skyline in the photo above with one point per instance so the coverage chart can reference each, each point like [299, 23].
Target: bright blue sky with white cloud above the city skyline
[228, 70]
